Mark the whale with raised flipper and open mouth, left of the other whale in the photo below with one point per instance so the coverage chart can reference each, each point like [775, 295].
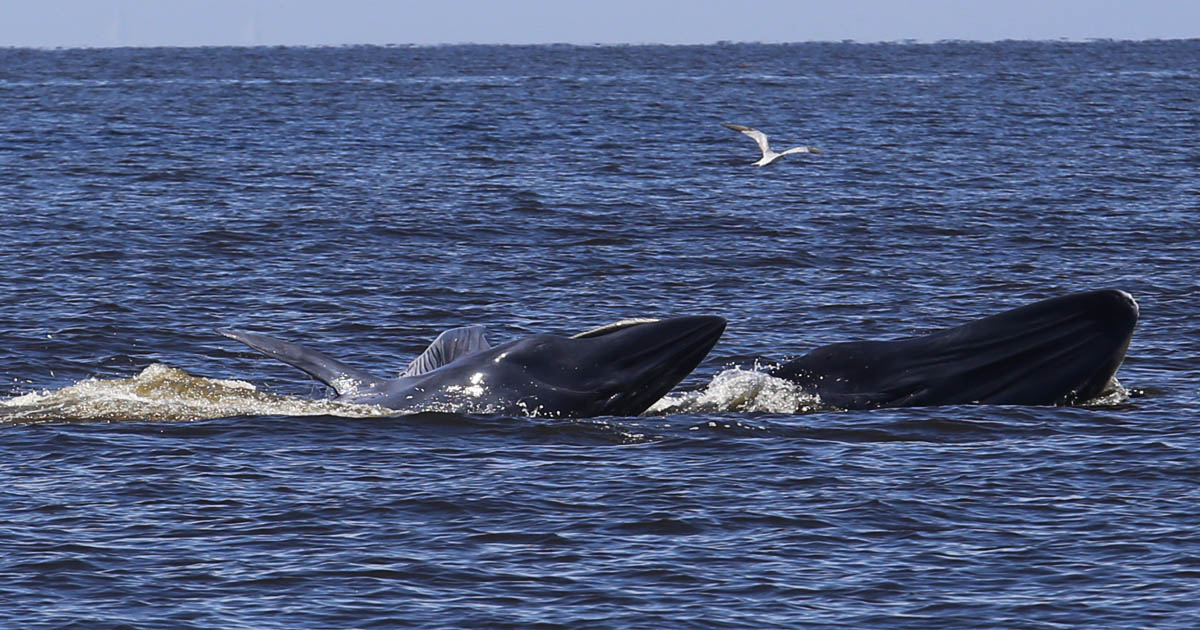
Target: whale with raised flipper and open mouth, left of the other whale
[619, 370]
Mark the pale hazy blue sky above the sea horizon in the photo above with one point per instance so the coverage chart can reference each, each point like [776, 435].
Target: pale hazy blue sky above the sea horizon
[109, 23]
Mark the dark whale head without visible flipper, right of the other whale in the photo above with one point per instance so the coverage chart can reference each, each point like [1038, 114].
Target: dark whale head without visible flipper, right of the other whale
[1060, 351]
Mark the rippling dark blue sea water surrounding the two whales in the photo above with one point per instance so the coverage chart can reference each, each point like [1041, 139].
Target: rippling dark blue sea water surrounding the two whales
[359, 201]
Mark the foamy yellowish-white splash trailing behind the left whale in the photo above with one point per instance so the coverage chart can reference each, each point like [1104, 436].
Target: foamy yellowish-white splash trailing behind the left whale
[163, 393]
